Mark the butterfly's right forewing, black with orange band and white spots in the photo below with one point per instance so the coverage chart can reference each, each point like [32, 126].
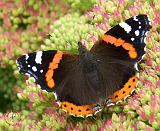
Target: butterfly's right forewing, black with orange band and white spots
[125, 41]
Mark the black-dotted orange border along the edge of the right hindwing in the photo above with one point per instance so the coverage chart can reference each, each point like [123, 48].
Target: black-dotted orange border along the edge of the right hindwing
[126, 90]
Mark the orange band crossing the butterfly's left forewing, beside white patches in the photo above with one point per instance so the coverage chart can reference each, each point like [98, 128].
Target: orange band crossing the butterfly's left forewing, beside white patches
[53, 65]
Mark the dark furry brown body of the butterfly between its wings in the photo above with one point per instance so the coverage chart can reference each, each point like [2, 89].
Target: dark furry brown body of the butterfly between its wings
[89, 65]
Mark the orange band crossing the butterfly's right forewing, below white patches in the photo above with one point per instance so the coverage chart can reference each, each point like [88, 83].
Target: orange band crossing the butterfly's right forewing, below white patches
[119, 42]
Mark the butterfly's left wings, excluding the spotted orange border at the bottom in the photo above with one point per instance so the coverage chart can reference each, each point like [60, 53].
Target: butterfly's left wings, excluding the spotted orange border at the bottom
[61, 73]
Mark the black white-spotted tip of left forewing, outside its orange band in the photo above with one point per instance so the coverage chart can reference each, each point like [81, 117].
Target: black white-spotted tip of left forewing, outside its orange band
[36, 65]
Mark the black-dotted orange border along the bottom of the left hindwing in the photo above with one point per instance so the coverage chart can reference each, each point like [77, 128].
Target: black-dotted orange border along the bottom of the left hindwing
[77, 110]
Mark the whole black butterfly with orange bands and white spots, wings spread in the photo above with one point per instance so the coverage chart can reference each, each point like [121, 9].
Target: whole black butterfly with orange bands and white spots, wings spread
[106, 72]
